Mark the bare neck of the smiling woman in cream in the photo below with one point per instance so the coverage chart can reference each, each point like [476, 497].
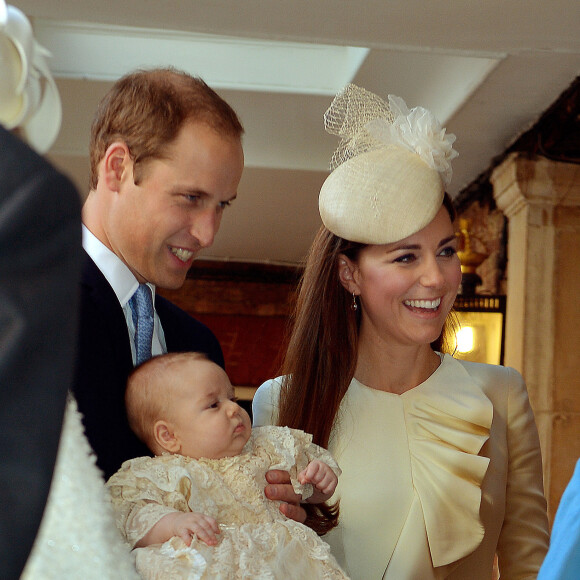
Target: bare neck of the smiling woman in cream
[394, 369]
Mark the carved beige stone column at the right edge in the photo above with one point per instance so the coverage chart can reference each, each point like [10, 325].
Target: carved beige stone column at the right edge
[541, 199]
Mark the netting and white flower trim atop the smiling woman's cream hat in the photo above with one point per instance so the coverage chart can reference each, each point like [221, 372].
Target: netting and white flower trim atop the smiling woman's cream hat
[365, 122]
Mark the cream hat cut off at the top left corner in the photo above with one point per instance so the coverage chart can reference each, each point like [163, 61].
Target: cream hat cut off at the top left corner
[29, 98]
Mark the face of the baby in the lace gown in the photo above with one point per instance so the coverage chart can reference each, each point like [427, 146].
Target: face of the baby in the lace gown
[207, 420]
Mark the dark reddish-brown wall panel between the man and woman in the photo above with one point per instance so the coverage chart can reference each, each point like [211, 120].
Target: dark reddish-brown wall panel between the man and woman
[247, 306]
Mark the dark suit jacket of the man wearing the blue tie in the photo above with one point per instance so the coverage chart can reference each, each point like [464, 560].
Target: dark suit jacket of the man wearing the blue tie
[104, 363]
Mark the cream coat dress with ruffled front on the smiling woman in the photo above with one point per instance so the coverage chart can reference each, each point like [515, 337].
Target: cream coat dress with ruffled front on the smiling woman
[411, 505]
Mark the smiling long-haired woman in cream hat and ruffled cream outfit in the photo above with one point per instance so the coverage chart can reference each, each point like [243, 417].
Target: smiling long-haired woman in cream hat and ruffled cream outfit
[440, 458]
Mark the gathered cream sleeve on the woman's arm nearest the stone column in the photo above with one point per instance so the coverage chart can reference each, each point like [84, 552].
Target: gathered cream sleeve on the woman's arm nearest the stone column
[524, 536]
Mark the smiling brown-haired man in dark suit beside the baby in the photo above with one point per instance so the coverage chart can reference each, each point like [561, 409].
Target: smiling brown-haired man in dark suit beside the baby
[166, 160]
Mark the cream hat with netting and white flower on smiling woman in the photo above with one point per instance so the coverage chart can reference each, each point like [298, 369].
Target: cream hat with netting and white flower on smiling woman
[390, 170]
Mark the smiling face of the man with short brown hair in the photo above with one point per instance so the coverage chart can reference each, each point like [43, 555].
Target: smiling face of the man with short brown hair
[158, 227]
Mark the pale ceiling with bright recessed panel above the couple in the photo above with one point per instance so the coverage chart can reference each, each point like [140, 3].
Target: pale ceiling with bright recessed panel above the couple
[487, 69]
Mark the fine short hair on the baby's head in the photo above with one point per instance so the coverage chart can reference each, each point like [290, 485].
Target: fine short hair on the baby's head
[149, 389]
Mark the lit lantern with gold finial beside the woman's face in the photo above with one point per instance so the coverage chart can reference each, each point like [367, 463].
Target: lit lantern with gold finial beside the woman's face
[481, 318]
